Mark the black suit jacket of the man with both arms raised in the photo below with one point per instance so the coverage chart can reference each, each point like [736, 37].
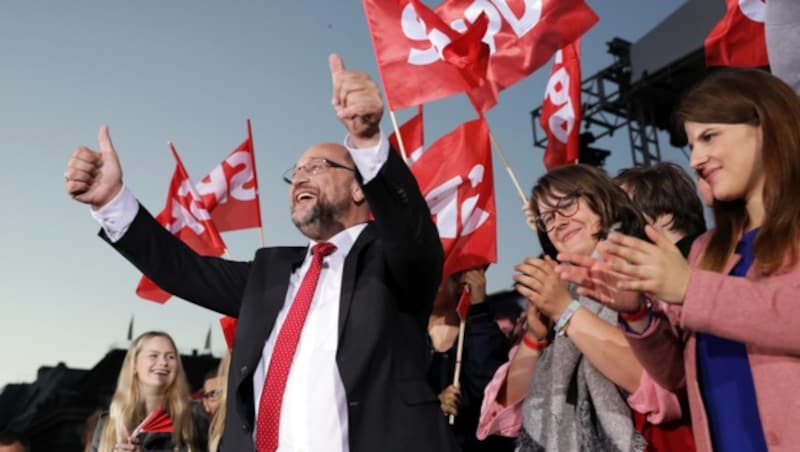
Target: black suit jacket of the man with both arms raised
[389, 280]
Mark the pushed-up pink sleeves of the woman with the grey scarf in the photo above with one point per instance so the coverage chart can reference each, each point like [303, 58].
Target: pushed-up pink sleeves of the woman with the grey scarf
[650, 399]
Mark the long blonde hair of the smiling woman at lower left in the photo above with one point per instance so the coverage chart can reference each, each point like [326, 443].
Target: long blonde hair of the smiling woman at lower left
[128, 408]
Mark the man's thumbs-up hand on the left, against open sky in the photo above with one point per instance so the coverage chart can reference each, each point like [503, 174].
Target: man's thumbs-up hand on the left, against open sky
[94, 177]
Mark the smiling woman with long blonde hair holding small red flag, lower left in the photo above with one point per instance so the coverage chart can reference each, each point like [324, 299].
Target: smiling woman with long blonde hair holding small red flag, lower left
[151, 377]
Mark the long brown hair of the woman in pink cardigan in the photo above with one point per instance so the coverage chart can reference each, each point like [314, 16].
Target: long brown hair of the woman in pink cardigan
[756, 98]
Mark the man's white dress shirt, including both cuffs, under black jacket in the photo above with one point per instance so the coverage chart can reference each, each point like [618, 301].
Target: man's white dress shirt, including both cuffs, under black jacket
[314, 408]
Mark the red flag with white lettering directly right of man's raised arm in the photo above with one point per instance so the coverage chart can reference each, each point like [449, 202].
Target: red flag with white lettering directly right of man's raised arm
[455, 176]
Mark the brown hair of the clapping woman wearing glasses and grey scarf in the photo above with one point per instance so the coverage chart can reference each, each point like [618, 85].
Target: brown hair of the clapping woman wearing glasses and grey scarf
[602, 195]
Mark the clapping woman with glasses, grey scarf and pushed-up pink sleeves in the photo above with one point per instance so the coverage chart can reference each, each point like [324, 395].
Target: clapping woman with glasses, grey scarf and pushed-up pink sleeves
[568, 395]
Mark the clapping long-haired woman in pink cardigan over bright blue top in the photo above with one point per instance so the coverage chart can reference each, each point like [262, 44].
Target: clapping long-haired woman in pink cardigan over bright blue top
[729, 331]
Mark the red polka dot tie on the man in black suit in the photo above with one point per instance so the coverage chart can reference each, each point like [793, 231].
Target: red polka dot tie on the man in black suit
[269, 406]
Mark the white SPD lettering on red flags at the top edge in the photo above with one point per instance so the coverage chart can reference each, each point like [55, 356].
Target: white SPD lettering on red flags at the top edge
[497, 11]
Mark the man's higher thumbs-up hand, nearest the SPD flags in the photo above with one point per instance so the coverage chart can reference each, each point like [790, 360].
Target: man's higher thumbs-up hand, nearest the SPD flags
[357, 102]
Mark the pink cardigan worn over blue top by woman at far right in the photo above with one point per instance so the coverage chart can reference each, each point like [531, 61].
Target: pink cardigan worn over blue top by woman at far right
[763, 313]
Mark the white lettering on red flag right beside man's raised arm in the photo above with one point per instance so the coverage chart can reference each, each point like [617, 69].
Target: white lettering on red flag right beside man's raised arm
[443, 203]
